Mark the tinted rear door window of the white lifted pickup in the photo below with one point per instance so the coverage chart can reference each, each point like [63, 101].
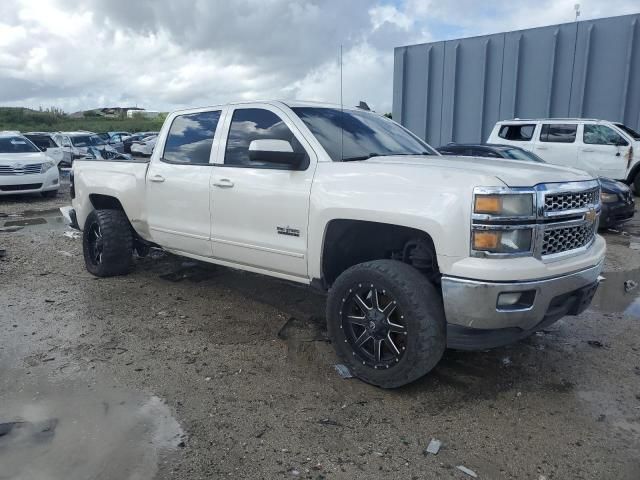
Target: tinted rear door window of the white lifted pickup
[190, 138]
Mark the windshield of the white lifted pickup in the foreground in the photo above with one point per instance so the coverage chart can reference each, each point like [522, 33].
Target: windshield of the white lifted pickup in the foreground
[353, 135]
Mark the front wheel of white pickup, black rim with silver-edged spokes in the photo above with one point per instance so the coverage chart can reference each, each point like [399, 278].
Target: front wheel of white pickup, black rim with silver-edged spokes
[387, 323]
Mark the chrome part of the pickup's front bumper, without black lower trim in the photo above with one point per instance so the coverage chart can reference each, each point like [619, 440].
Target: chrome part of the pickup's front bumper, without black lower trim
[473, 304]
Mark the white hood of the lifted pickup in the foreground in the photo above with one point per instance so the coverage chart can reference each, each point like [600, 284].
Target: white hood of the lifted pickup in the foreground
[513, 173]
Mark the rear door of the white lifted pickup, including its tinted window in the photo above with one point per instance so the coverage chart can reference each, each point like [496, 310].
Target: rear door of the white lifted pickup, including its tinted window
[178, 183]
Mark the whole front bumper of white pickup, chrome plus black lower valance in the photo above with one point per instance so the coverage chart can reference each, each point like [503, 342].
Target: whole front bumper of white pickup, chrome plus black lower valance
[476, 321]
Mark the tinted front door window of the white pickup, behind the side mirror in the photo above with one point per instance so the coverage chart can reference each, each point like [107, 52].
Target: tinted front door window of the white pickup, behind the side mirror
[250, 124]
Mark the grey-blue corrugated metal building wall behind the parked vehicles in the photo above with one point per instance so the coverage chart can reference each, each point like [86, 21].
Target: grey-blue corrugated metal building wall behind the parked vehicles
[455, 91]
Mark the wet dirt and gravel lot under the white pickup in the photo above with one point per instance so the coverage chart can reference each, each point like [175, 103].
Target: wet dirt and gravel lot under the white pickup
[181, 370]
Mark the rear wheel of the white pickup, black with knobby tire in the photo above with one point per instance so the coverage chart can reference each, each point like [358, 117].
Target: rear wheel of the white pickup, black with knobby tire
[107, 243]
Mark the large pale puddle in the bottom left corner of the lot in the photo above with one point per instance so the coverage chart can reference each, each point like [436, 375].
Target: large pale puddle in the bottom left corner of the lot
[80, 433]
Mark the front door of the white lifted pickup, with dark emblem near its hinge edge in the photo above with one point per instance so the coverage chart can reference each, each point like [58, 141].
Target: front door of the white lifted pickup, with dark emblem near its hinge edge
[260, 211]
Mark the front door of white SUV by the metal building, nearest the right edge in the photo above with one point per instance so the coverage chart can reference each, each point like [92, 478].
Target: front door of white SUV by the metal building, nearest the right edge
[603, 152]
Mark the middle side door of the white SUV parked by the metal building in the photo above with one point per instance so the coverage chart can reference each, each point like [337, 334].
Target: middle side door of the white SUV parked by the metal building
[556, 144]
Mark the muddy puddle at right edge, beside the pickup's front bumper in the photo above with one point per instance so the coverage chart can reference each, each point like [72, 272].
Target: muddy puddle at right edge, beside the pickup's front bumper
[612, 297]
